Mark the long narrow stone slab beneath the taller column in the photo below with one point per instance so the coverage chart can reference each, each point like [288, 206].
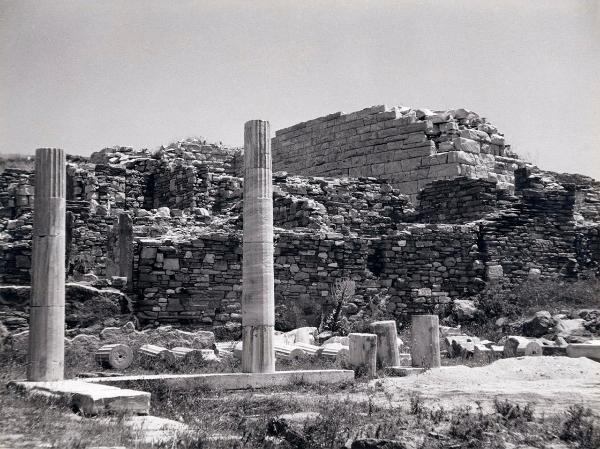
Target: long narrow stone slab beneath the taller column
[232, 381]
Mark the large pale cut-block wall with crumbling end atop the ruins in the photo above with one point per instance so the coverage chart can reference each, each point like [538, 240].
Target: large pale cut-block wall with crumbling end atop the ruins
[411, 148]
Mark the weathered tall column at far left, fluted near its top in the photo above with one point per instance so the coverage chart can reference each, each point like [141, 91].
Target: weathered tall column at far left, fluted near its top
[47, 307]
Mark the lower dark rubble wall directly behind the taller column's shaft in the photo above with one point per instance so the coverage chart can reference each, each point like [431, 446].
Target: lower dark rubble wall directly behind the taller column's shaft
[200, 280]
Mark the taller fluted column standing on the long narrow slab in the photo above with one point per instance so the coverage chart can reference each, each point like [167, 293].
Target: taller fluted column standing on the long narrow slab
[258, 296]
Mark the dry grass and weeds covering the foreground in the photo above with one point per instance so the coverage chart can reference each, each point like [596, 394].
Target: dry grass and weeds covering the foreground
[252, 419]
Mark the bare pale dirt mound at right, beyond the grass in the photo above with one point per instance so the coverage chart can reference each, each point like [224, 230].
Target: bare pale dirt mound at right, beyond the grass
[553, 383]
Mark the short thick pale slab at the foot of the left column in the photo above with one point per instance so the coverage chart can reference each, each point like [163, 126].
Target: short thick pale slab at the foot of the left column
[90, 398]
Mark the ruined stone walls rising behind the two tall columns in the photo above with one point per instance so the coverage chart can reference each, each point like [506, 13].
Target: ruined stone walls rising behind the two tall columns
[424, 207]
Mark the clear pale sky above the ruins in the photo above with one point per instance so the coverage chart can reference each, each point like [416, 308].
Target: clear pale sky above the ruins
[83, 75]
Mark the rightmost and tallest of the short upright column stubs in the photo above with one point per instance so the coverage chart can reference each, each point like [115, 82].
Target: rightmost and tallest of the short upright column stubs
[425, 341]
